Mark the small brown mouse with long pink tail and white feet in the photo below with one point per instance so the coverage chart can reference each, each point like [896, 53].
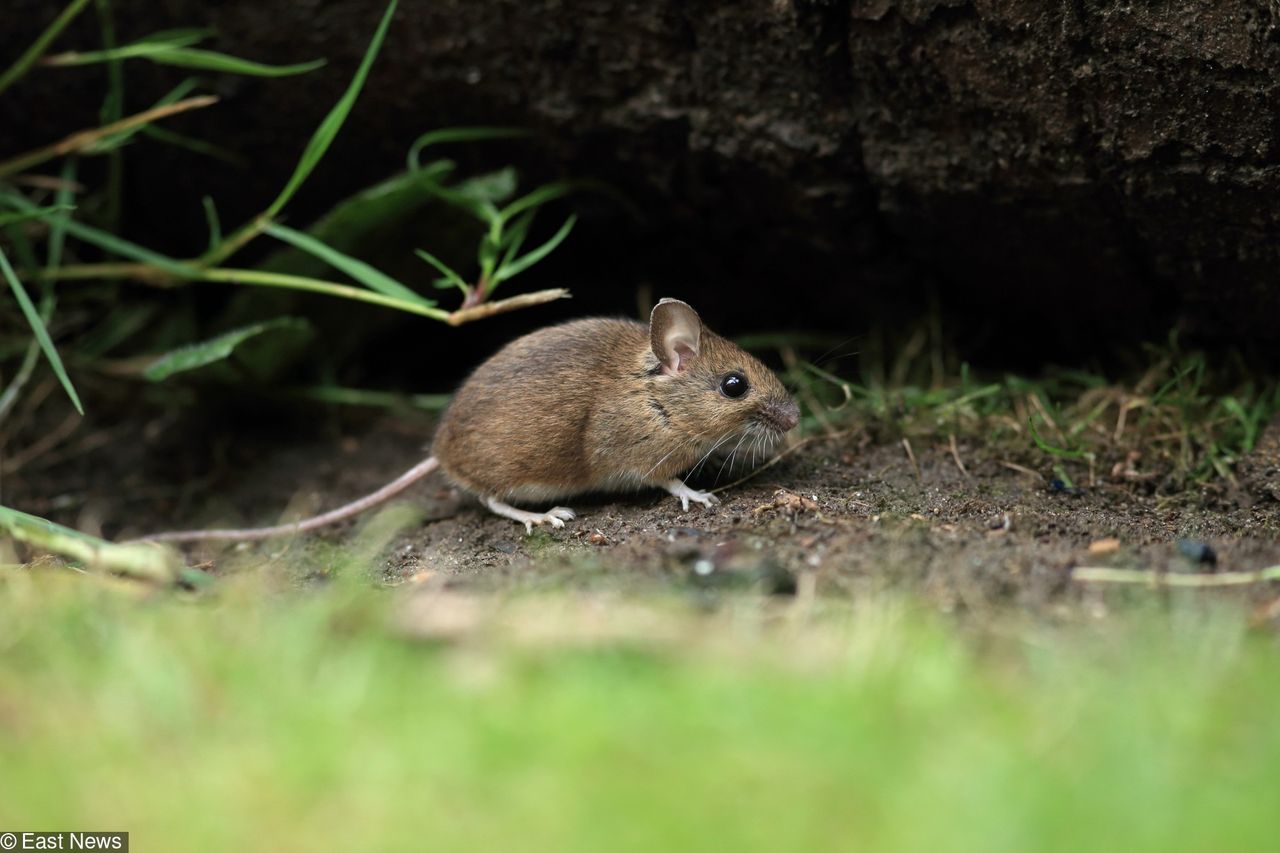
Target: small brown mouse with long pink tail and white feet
[596, 405]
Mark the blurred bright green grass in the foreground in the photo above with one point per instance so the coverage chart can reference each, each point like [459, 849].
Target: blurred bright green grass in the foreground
[267, 718]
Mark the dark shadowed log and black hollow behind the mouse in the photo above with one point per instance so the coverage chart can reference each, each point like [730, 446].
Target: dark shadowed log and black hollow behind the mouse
[1062, 181]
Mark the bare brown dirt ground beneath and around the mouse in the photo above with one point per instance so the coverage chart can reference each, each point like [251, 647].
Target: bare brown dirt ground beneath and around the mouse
[842, 516]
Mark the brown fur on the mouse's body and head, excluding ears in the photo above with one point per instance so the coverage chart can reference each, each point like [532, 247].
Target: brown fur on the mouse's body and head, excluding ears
[584, 407]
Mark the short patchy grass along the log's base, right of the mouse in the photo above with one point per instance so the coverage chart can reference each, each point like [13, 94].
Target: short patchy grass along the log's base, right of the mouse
[1181, 419]
